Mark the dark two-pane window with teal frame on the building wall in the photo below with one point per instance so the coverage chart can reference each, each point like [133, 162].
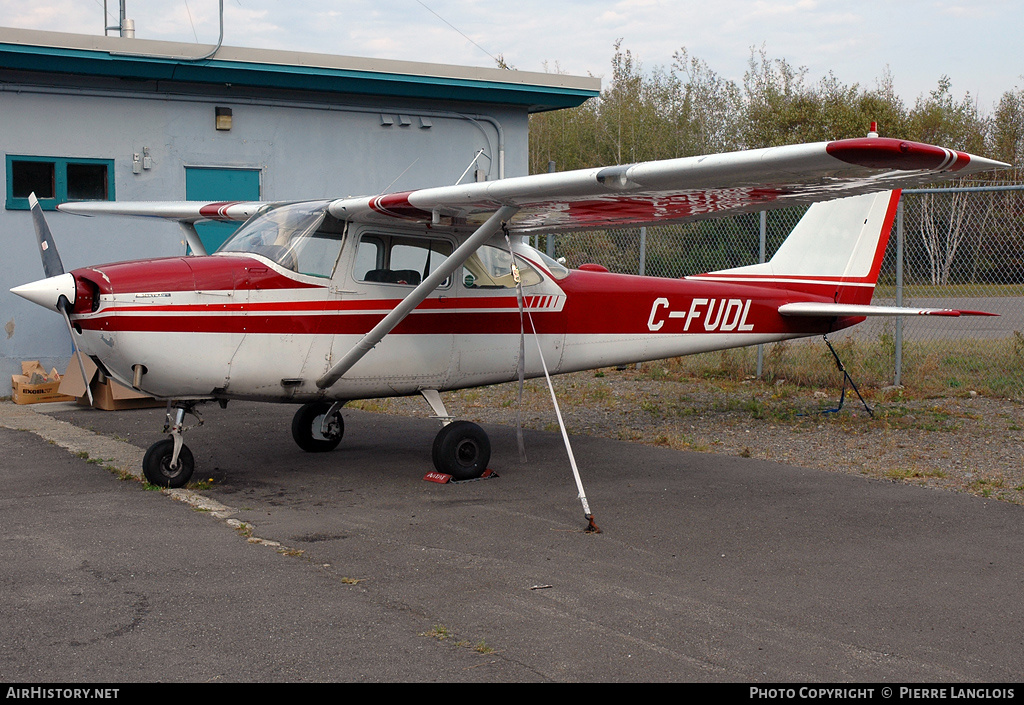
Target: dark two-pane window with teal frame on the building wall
[58, 180]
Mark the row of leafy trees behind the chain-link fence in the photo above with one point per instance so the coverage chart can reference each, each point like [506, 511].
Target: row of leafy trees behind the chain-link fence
[688, 109]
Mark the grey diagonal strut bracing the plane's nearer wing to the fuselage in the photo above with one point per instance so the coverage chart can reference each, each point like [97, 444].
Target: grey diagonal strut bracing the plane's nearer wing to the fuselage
[416, 298]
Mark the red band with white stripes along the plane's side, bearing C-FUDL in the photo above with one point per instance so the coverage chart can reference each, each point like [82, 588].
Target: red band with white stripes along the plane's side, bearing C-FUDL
[592, 304]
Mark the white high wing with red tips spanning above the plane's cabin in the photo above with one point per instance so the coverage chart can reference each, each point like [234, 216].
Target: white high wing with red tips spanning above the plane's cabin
[649, 193]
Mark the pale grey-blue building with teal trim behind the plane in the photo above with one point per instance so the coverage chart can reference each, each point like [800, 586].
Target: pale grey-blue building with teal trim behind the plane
[93, 117]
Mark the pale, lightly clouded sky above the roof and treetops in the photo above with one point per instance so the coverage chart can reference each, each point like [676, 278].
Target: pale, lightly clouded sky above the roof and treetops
[974, 43]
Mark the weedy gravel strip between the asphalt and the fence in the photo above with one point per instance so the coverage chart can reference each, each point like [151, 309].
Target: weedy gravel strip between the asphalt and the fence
[970, 444]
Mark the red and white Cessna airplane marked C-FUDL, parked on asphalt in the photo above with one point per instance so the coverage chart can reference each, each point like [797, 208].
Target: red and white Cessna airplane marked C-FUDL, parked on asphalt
[321, 303]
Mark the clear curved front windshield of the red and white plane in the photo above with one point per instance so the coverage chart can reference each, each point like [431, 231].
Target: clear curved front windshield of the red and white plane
[301, 237]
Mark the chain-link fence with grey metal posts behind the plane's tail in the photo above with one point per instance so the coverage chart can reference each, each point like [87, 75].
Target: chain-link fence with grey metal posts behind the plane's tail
[957, 248]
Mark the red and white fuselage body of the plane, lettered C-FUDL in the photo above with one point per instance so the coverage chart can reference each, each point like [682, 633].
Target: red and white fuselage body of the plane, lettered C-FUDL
[244, 326]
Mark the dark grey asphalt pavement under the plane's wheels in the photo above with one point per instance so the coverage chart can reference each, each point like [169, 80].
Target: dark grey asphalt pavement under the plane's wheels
[350, 567]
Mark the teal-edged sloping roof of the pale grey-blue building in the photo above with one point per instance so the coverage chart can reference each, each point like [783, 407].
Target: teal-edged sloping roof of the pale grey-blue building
[56, 53]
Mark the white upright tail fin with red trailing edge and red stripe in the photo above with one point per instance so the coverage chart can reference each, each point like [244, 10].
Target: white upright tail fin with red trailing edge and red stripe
[836, 251]
